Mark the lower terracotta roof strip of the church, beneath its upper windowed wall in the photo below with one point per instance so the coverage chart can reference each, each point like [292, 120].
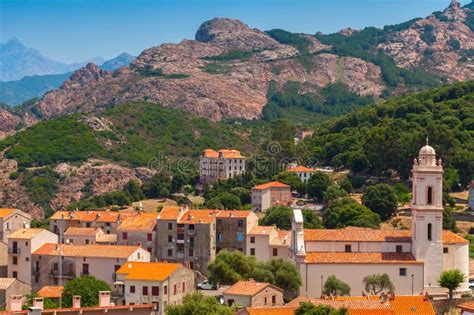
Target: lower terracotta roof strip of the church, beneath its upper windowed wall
[360, 258]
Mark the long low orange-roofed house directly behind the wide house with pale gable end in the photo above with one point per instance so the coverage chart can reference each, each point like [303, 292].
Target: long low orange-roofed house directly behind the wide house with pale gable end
[107, 220]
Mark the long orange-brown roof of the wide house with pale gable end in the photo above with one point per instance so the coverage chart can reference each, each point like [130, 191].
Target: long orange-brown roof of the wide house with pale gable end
[100, 251]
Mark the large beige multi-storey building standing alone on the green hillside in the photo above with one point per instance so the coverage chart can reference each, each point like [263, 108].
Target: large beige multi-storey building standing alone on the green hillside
[222, 164]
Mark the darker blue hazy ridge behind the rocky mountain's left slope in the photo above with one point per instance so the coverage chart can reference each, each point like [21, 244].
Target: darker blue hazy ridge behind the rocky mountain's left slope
[16, 92]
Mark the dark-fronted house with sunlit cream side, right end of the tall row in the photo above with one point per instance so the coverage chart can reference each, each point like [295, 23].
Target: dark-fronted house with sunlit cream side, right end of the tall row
[232, 227]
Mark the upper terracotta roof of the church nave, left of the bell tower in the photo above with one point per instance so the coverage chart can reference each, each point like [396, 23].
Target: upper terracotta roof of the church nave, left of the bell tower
[356, 234]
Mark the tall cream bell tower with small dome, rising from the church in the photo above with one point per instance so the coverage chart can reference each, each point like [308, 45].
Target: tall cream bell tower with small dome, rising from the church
[427, 215]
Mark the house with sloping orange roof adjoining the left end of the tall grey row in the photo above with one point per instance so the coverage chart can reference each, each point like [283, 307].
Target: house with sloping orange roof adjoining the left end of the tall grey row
[139, 230]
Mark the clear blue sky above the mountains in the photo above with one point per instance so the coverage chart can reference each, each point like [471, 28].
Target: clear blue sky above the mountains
[76, 30]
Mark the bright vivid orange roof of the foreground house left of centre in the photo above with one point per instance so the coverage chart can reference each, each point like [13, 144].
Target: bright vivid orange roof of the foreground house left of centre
[147, 270]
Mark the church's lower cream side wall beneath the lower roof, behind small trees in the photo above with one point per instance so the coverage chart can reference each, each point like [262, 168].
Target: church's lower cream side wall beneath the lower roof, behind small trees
[353, 275]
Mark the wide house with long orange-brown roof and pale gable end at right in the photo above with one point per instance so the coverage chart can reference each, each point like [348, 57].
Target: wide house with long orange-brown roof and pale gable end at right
[55, 264]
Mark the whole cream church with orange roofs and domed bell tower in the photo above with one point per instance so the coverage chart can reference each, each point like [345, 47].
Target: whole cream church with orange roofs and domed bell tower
[414, 259]
